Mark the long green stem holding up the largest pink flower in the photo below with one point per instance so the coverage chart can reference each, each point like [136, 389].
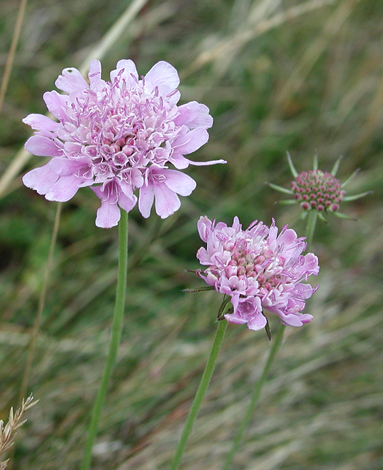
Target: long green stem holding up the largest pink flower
[114, 340]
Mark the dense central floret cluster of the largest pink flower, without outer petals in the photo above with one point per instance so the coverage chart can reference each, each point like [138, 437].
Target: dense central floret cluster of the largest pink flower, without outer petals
[118, 129]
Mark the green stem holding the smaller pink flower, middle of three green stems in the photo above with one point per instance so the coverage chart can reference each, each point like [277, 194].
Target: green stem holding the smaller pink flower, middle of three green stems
[203, 386]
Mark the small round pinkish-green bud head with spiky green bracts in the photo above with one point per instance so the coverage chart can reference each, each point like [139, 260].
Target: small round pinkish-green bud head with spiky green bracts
[318, 190]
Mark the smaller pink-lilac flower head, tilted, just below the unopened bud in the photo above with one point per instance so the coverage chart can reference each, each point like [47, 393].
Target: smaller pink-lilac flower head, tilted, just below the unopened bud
[258, 269]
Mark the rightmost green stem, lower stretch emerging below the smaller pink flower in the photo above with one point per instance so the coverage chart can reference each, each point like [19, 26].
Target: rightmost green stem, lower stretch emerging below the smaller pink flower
[256, 393]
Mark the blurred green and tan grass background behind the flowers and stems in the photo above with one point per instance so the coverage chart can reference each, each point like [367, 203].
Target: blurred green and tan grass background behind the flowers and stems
[277, 75]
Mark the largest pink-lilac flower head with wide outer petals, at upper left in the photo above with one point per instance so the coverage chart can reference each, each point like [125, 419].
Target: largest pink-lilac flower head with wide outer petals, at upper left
[118, 136]
